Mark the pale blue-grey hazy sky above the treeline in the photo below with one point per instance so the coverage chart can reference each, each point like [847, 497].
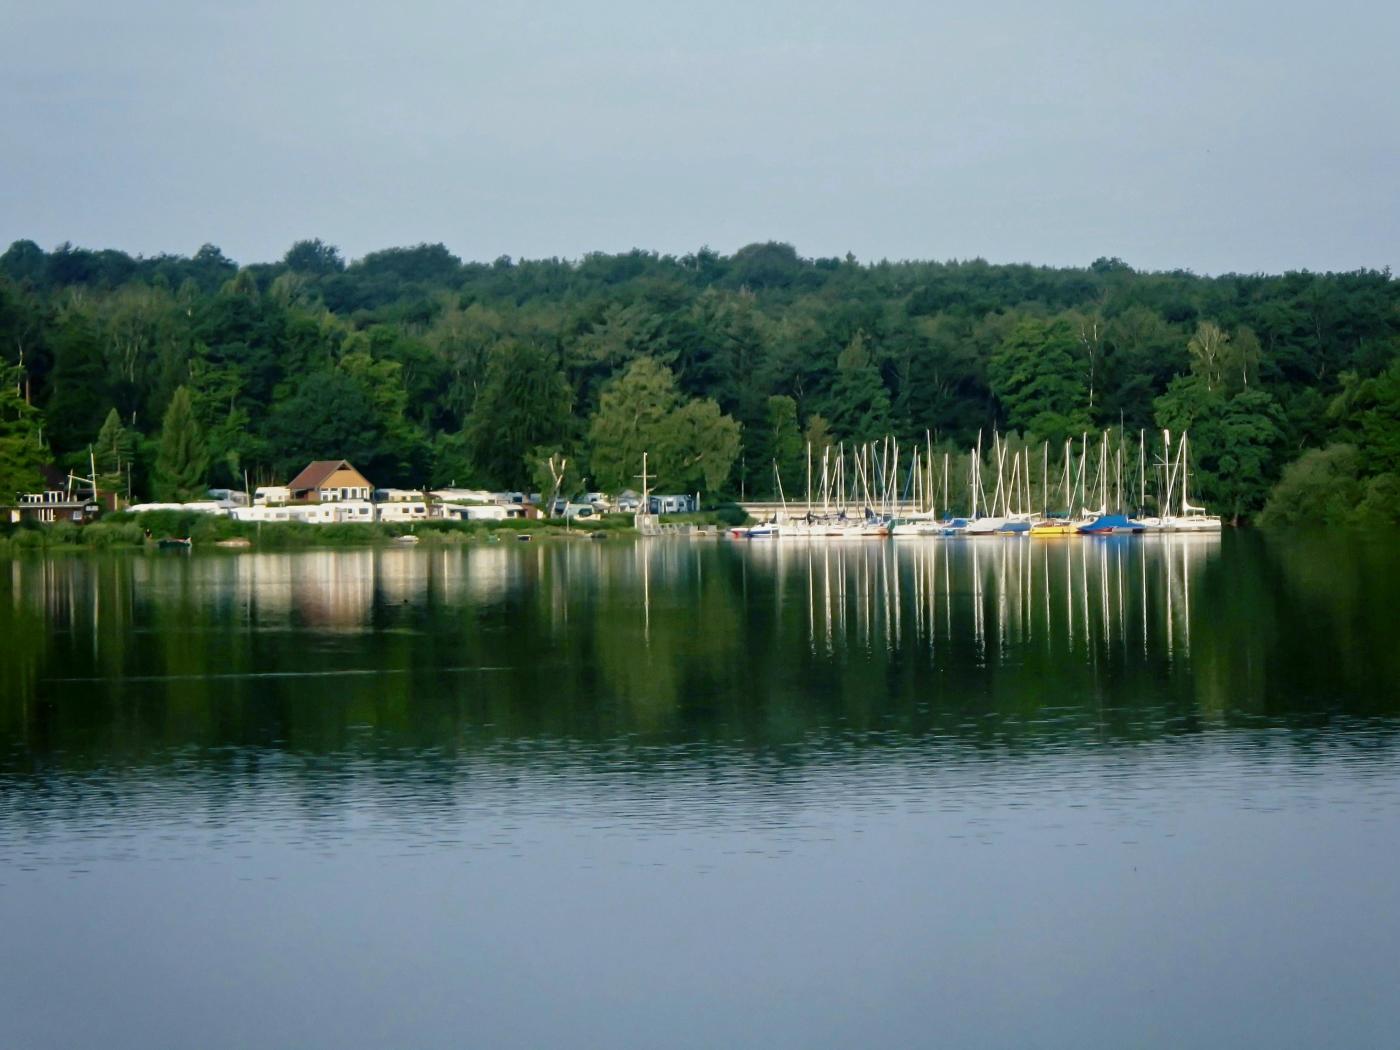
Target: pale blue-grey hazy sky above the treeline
[1212, 136]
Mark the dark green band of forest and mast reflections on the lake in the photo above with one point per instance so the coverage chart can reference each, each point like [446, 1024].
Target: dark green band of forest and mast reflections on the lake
[682, 642]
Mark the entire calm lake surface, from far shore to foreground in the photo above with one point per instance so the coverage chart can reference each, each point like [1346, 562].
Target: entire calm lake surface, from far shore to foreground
[1133, 792]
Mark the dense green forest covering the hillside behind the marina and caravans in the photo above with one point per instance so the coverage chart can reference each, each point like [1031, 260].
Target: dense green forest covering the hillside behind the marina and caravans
[180, 373]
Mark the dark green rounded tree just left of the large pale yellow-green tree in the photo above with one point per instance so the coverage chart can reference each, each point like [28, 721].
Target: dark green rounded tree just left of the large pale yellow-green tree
[524, 402]
